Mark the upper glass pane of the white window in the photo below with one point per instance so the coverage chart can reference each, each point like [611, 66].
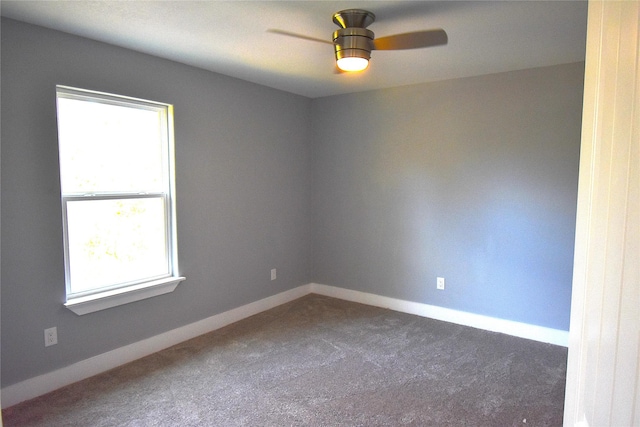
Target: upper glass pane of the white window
[110, 148]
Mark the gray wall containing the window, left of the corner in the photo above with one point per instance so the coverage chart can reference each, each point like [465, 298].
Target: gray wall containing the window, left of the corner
[243, 188]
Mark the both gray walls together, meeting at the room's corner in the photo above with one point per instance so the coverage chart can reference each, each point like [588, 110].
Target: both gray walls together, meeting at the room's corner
[472, 179]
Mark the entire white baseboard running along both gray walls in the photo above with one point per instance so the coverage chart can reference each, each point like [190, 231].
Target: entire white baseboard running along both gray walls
[45, 383]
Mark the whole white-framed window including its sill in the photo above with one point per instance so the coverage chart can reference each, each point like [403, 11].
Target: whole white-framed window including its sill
[118, 198]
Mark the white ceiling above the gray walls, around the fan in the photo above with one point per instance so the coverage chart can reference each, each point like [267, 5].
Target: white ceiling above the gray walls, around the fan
[230, 37]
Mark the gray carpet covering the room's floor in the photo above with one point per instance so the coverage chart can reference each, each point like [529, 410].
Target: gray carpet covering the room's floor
[320, 361]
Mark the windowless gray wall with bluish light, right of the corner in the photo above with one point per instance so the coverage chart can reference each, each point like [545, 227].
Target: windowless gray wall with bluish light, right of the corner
[474, 180]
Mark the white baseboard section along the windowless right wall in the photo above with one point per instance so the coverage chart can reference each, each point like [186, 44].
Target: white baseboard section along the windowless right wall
[509, 327]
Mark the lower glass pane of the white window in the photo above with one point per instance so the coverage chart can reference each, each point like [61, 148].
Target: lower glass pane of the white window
[116, 241]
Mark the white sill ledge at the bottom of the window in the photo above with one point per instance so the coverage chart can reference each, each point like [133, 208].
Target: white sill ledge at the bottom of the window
[104, 300]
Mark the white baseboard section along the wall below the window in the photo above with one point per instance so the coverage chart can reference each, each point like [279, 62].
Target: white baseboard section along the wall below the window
[45, 383]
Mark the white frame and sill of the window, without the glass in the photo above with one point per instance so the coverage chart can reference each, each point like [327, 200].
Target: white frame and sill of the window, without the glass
[124, 293]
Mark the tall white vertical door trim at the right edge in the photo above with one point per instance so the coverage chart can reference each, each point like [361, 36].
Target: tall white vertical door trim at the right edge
[603, 369]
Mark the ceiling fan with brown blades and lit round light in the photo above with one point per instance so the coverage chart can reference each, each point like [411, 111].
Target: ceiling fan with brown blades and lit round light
[353, 42]
